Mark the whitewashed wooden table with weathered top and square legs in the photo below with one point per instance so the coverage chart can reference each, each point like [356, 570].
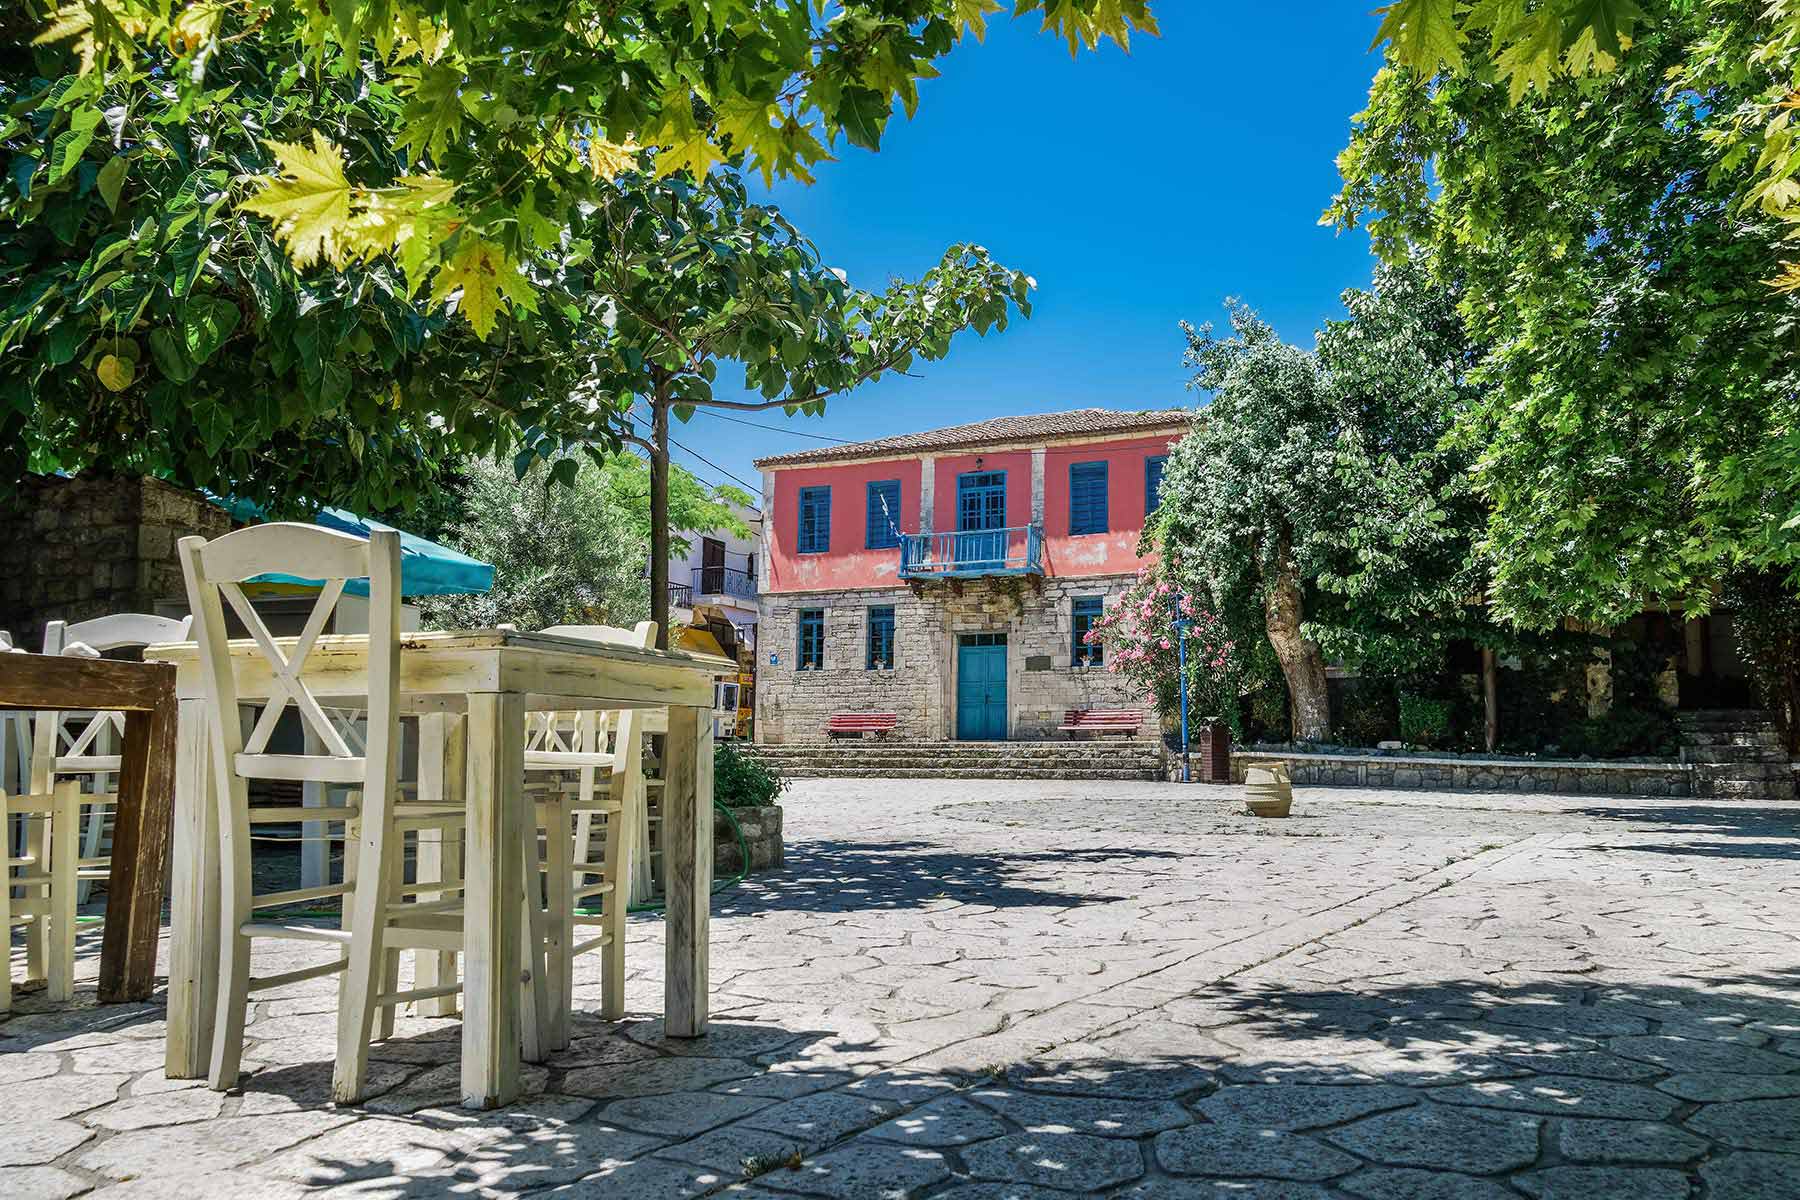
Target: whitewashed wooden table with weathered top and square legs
[494, 677]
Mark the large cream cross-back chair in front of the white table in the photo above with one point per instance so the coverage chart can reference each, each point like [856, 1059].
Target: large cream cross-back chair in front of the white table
[379, 920]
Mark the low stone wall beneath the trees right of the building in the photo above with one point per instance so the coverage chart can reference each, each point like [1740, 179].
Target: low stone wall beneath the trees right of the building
[1381, 771]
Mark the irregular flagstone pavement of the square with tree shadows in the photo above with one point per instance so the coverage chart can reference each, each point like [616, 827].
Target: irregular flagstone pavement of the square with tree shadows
[1023, 992]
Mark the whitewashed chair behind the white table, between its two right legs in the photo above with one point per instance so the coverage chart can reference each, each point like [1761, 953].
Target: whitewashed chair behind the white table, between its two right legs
[595, 861]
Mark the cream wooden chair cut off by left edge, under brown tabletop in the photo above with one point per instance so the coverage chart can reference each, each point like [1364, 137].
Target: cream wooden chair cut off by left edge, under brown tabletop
[48, 879]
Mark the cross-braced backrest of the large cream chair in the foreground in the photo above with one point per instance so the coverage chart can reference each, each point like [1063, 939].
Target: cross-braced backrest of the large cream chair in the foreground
[215, 575]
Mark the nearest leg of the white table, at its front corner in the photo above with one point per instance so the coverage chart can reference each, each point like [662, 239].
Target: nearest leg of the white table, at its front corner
[492, 897]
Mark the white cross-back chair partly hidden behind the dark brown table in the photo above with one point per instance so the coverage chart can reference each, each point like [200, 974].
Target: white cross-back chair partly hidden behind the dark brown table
[84, 744]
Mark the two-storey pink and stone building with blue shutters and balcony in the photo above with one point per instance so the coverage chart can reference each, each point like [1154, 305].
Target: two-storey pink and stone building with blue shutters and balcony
[948, 577]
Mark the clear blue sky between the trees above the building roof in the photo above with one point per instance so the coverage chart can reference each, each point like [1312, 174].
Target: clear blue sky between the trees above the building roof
[1138, 190]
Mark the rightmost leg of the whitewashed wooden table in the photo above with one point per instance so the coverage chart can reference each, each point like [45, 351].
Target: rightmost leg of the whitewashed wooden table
[688, 868]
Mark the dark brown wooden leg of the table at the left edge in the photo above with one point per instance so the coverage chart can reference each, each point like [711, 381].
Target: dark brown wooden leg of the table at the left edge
[141, 848]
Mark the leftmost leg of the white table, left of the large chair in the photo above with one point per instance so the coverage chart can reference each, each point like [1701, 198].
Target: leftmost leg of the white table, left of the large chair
[193, 902]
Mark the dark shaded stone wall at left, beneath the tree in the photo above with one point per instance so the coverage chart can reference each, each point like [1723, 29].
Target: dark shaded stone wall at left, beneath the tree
[93, 546]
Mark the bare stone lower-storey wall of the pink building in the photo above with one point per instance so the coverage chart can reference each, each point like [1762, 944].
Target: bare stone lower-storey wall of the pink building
[921, 688]
